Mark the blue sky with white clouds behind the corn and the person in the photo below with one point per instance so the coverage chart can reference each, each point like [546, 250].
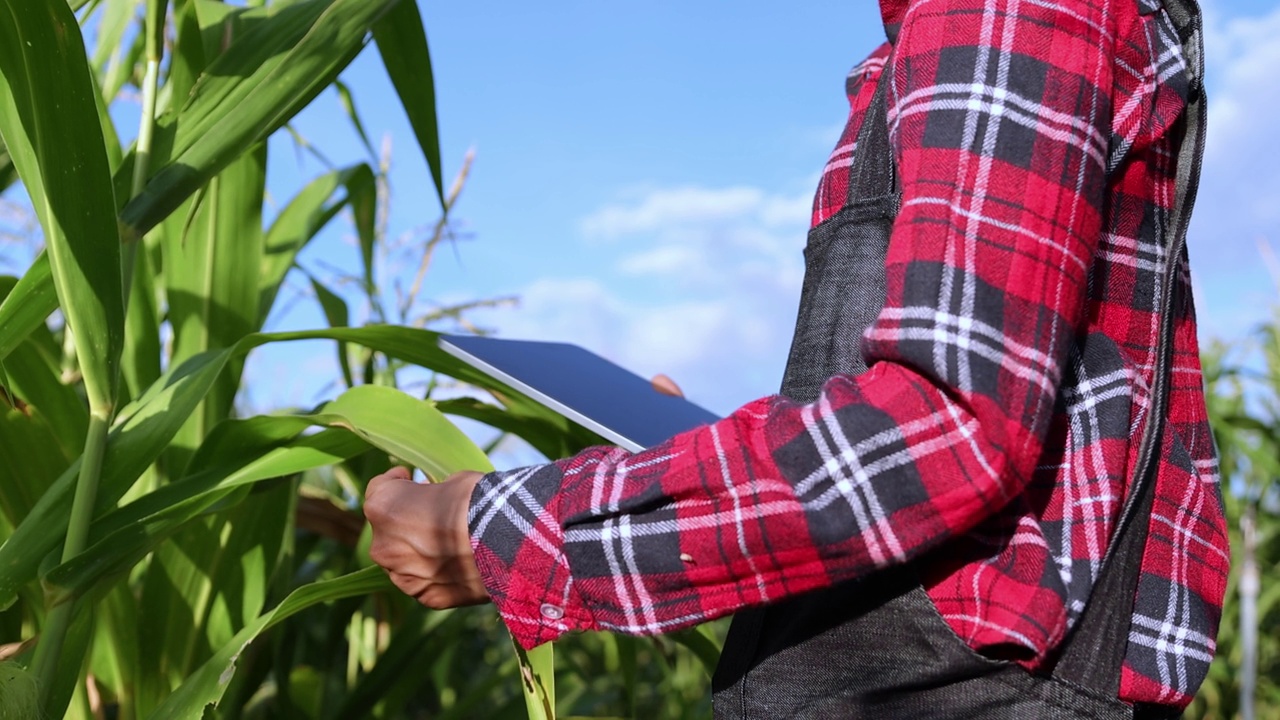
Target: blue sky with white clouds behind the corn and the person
[644, 175]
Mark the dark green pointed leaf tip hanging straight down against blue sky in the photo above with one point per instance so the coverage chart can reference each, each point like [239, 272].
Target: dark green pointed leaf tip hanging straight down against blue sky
[403, 44]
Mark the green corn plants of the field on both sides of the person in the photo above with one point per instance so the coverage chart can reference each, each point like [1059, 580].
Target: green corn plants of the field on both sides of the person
[167, 555]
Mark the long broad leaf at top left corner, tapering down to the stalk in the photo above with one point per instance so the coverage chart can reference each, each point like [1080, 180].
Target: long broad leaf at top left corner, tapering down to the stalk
[45, 95]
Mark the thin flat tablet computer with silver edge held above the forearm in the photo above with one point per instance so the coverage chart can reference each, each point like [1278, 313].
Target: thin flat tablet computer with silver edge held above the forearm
[587, 389]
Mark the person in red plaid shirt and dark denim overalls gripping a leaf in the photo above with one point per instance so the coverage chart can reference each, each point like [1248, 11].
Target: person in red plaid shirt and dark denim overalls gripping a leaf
[922, 522]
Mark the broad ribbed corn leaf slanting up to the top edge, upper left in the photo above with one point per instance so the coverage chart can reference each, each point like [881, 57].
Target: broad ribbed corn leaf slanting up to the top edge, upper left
[267, 76]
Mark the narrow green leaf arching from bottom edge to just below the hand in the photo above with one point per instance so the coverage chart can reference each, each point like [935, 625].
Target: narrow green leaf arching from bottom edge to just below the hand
[205, 687]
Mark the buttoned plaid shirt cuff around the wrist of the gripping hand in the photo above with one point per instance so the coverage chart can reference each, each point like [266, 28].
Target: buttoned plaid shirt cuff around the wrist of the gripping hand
[519, 548]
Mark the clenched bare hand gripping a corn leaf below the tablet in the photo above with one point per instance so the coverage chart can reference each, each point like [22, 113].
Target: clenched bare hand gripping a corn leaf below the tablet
[422, 540]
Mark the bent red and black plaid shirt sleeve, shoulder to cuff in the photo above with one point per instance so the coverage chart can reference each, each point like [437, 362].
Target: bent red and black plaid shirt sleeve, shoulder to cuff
[999, 119]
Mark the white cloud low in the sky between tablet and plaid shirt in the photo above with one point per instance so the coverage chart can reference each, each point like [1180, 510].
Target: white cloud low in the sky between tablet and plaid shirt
[705, 289]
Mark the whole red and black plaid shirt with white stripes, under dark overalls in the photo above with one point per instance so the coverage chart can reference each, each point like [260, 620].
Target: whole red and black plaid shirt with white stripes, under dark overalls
[993, 436]
